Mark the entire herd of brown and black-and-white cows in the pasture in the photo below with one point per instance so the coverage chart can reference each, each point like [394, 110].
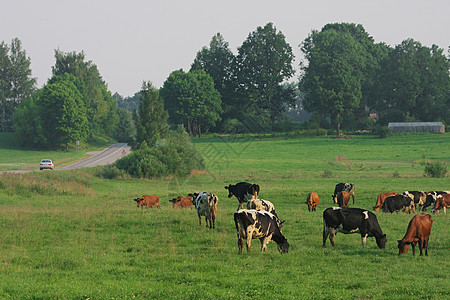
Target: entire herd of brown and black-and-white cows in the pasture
[261, 221]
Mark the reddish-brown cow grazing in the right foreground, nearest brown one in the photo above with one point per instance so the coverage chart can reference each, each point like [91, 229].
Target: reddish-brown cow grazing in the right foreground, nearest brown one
[419, 230]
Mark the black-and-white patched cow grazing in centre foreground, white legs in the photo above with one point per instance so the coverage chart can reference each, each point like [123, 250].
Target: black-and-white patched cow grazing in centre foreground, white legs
[259, 224]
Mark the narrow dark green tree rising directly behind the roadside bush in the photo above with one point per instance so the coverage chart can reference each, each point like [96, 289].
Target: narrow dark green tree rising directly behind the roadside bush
[151, 122]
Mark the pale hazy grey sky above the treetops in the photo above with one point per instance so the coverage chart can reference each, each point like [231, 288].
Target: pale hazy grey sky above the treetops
[134, 41]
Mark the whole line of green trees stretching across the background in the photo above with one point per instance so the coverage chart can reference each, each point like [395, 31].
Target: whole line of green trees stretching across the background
[344, 76]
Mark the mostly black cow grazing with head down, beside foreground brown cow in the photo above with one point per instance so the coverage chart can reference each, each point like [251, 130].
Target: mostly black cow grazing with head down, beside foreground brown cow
[352, 220]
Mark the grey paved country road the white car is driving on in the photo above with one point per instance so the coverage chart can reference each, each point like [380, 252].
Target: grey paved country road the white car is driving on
[101, 158]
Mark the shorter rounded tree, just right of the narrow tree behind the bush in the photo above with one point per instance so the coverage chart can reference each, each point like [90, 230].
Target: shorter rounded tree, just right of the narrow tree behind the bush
[192, 100]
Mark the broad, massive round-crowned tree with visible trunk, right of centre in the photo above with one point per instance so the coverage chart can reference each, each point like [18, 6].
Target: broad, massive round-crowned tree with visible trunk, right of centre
[332, 78]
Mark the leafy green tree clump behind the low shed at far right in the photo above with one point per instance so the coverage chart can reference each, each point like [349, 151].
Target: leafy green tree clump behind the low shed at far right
[415, 82]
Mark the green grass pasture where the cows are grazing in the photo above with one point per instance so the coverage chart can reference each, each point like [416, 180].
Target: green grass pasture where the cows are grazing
[72, 235]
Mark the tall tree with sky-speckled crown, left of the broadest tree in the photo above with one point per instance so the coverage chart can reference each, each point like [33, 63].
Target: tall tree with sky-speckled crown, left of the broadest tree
[264, 61]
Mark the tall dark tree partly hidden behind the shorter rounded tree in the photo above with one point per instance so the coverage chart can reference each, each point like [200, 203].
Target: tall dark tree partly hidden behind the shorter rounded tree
[220, 63]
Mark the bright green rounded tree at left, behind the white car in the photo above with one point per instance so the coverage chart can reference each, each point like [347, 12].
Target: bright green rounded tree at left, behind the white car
[65, 120]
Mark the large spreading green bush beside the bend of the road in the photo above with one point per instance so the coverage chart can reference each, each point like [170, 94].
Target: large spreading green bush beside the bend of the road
[173, 155]
